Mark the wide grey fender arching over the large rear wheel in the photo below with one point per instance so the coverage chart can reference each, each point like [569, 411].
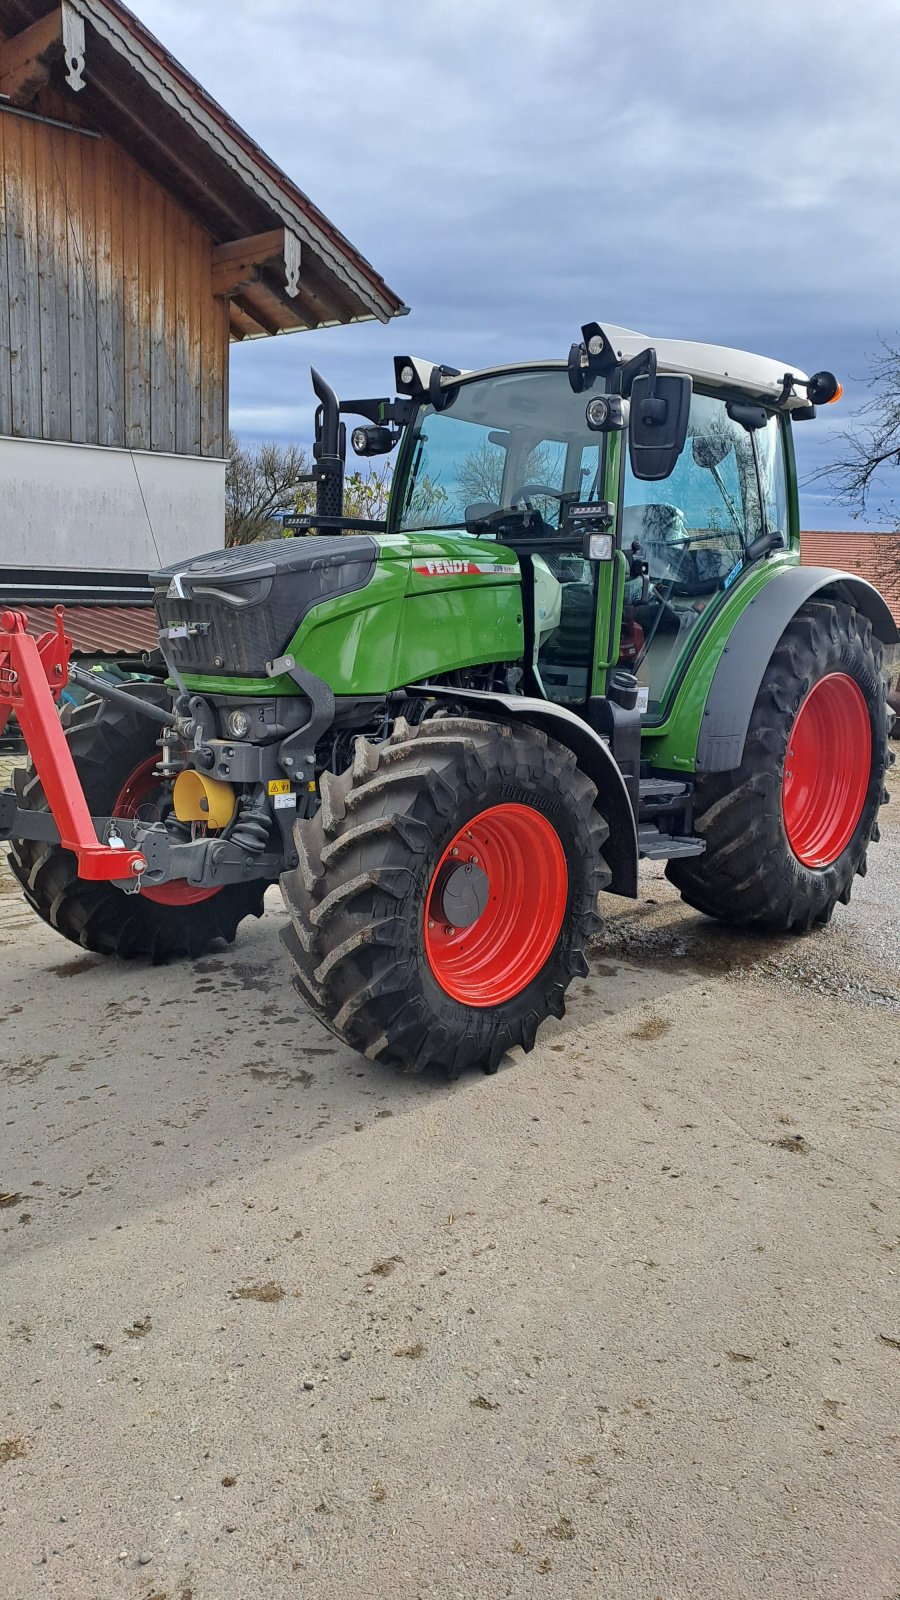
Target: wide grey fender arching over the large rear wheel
[744, 662]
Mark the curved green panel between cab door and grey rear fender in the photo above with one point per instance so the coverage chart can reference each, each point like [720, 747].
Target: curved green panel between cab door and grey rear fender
[672, 745]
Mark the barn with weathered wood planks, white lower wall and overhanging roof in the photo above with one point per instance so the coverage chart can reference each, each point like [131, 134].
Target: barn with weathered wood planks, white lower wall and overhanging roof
[142, 233]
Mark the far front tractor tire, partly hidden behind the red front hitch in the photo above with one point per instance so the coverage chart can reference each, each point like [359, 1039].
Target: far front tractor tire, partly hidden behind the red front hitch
[111, 746]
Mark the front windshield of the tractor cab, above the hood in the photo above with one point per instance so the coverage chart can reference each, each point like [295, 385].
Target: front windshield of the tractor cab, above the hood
[512, 441]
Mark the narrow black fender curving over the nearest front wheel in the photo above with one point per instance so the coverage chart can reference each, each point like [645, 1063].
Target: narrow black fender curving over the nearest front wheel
[590, 751]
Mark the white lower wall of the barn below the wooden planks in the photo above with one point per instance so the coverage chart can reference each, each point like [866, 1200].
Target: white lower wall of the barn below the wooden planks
[81, 506]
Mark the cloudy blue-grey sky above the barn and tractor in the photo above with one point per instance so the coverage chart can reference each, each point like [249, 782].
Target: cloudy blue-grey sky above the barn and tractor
[701, 169]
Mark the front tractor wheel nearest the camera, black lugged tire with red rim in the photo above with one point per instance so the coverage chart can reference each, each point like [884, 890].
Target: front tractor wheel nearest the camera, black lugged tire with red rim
[492, 825]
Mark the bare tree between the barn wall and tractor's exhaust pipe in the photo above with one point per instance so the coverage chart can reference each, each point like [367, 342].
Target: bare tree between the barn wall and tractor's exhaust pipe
[262, 484]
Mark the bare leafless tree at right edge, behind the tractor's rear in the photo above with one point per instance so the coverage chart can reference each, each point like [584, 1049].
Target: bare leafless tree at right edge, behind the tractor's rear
[870, 447]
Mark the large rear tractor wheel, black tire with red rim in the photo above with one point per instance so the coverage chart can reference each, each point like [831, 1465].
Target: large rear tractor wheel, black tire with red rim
[790, 828]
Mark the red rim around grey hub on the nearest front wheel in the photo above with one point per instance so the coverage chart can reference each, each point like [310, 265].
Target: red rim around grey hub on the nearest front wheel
[528, 886]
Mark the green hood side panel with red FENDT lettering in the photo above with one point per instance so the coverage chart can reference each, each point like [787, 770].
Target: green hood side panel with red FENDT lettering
[435, 604]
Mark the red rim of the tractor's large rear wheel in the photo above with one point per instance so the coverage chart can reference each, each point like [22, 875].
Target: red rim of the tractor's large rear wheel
[827, 770]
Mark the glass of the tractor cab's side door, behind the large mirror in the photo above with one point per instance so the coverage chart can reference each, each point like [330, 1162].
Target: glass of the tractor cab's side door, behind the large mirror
[693, 530]
